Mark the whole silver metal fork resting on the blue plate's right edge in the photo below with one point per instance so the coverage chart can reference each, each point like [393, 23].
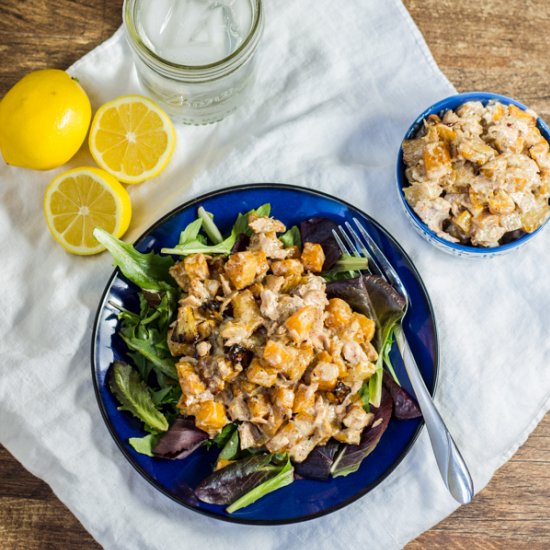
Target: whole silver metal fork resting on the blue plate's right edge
[451, 465]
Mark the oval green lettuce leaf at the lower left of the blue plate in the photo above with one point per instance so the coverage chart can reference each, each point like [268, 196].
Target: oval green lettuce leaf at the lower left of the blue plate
[135, 396]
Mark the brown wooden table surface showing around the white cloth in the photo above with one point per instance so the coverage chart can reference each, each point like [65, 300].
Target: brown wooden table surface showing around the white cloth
[495, 45]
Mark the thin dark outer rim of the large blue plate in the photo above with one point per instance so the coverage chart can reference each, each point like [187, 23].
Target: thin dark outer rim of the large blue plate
[247, 521]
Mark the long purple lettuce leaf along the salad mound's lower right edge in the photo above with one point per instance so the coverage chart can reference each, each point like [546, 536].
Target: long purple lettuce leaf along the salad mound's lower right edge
[351, 456]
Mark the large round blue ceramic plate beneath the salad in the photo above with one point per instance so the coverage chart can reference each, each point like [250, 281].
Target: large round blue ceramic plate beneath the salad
[304, 499]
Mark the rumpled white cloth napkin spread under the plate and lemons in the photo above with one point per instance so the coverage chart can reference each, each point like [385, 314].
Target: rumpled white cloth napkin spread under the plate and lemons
[338, 85]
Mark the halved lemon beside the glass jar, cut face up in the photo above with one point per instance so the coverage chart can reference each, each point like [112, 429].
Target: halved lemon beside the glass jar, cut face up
[132, 138]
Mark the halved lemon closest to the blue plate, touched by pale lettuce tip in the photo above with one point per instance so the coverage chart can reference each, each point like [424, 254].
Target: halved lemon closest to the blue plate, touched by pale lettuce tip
[78, 201]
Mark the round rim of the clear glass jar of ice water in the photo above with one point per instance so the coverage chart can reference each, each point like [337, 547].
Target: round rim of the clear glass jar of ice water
[144, 50]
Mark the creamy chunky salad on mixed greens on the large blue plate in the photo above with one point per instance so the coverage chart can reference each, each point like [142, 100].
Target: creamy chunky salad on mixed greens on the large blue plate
[268, 345]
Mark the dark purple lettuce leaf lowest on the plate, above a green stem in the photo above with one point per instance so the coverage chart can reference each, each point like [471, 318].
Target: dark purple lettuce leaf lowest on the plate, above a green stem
[232, 482]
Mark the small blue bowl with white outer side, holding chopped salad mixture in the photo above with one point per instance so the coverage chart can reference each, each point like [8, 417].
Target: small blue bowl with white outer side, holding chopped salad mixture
[456, 249]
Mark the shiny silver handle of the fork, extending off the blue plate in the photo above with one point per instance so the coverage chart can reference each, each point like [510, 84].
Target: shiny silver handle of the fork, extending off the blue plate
[451, 465]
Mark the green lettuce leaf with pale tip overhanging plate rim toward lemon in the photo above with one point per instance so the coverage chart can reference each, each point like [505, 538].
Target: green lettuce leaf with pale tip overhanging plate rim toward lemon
[148, 271]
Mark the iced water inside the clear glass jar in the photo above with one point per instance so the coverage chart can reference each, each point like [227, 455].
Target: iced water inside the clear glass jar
[195, 32]
